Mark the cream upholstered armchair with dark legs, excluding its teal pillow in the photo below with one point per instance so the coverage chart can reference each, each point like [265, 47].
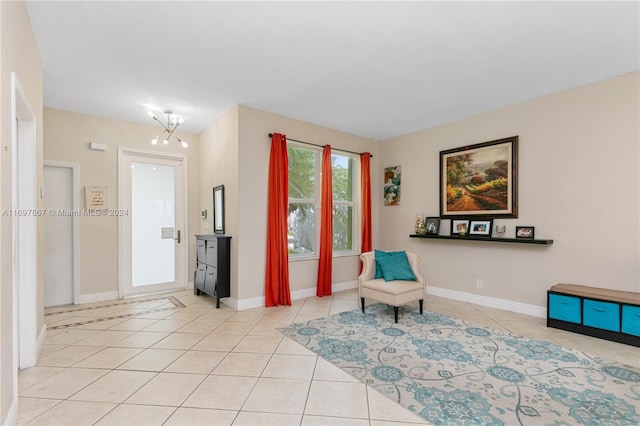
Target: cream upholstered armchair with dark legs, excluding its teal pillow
[394, 293]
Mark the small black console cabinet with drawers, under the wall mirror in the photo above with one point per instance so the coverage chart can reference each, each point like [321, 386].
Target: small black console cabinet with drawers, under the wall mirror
[213, 268]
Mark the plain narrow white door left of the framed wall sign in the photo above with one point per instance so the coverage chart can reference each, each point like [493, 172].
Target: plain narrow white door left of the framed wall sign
[58, 236]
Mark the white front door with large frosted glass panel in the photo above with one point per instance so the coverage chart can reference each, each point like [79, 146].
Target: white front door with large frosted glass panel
[153, 205]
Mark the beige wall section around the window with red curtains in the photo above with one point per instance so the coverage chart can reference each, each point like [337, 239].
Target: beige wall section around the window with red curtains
[254, 144]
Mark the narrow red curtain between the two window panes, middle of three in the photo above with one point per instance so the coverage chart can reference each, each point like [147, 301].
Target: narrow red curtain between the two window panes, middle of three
[326, 226]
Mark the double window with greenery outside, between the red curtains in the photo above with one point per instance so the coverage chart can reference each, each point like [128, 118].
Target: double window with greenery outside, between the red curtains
[304, 201]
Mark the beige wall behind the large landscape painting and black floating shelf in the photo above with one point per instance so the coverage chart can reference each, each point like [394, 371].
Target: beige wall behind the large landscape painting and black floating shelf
[578, 185]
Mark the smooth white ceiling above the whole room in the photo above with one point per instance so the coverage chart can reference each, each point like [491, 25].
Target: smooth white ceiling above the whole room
[374, 69]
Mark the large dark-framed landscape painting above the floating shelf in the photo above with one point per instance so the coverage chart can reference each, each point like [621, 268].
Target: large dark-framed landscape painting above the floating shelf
[480, 180]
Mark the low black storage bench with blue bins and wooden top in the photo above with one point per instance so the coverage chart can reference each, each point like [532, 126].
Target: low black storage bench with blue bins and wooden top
[599, 312]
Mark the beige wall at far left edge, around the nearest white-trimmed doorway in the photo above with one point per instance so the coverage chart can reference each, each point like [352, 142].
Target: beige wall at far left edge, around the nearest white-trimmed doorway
[19, 54]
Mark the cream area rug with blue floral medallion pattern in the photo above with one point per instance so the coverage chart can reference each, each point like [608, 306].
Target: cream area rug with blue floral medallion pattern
[451, 372]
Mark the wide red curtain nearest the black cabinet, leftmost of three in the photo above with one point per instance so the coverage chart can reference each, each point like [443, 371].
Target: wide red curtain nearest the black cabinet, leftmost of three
[277, 290]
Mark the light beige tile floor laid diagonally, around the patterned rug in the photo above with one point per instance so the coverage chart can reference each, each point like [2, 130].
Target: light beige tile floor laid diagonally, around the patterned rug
[175, 359]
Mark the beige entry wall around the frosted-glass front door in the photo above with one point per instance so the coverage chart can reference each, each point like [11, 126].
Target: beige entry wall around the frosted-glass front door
[67, 139]
